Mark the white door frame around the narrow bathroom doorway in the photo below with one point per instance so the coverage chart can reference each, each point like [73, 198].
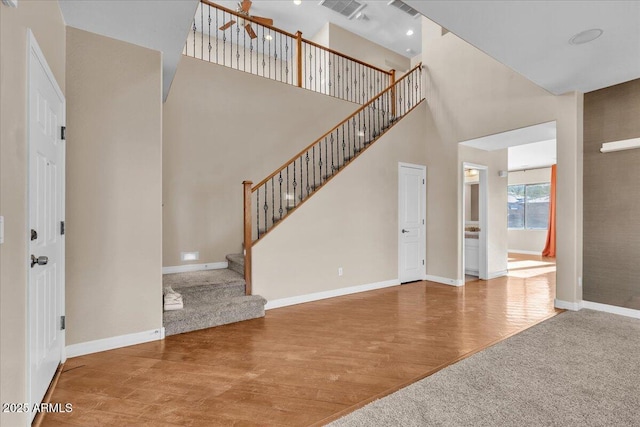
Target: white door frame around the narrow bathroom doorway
[483, 223]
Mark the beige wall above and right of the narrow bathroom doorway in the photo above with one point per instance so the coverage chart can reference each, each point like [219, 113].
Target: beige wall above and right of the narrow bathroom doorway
[496, 230]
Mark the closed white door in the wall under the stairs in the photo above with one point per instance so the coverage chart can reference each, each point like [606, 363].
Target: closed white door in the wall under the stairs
[411, 222]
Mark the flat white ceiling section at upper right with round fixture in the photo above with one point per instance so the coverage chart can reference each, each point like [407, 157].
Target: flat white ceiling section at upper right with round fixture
[532, 37]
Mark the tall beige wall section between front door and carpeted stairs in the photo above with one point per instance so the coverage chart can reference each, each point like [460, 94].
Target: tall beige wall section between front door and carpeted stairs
[114, 188]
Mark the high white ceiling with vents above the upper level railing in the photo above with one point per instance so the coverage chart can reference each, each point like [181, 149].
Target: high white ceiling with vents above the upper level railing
[386, 25]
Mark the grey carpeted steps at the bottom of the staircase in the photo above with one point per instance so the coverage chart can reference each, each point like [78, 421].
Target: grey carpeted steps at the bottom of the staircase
[211, 298]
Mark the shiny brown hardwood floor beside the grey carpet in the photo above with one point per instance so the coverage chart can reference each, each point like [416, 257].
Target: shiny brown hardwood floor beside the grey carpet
[305, 364]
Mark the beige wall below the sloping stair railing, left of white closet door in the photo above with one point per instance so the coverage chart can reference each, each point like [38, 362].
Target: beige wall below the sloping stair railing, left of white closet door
[351, 223]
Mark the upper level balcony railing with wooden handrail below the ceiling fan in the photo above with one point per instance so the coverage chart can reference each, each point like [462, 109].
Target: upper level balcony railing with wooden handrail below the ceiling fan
[252, 46]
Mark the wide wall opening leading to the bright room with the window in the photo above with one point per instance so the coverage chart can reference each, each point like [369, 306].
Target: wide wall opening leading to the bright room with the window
[517, 210]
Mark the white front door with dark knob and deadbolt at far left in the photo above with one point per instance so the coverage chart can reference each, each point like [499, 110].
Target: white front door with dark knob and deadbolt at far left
[46, 213]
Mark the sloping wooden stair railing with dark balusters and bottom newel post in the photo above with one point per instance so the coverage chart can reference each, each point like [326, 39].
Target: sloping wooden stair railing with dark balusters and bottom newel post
[293, 183]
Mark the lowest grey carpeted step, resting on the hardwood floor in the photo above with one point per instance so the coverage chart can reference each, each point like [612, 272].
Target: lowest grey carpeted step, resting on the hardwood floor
[200, 315]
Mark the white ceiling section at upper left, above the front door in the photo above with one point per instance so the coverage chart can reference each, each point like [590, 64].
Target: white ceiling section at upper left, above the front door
[159, 25]
